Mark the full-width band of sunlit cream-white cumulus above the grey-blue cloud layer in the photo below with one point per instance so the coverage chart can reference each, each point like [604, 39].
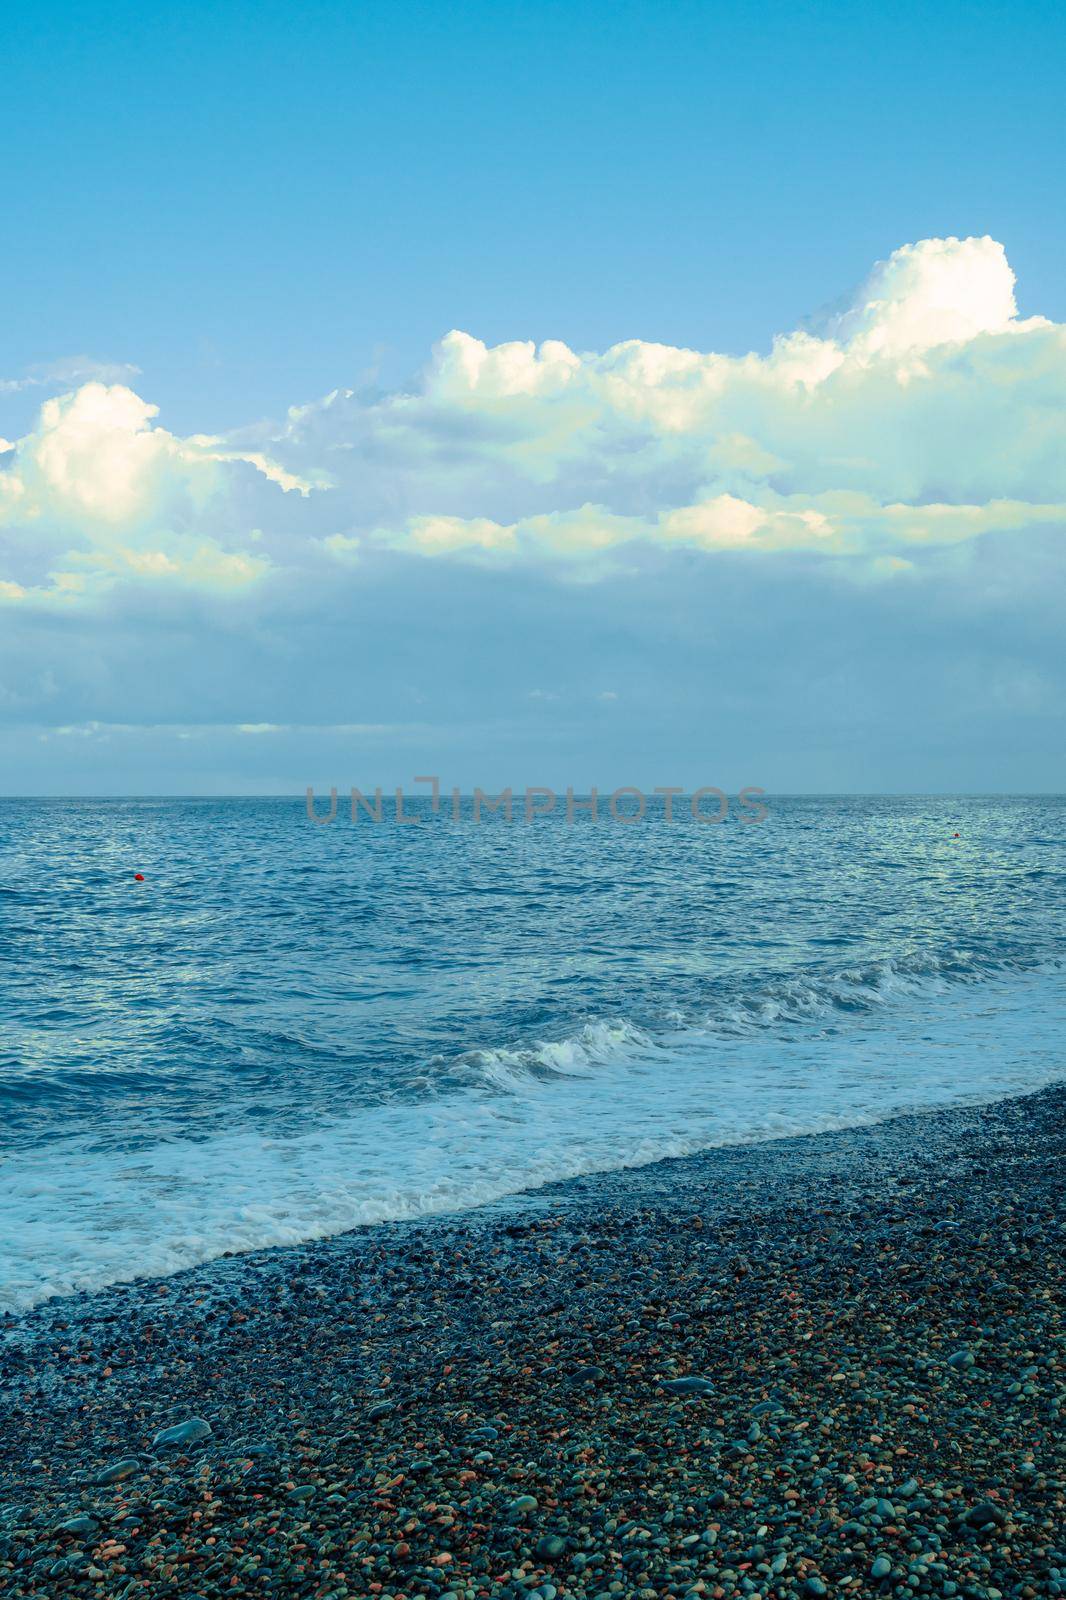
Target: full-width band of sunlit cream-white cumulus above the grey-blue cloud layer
[924, 415]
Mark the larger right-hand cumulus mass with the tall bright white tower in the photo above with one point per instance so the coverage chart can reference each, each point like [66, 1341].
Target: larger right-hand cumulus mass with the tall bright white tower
[924, 414]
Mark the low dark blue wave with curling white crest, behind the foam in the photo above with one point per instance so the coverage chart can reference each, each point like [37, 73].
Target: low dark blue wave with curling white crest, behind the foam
[202, 1065]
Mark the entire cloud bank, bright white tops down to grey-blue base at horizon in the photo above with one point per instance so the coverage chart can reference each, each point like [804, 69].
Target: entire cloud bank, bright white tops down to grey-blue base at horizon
[840, 562]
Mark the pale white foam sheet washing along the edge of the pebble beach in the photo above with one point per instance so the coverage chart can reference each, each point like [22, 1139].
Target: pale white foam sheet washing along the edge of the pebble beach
[611, 1097]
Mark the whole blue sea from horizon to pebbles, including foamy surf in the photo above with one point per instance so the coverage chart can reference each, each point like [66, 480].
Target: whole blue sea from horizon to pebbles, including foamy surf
[291, 1030]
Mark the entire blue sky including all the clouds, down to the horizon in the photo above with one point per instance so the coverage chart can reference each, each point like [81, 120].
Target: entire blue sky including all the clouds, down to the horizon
[555, 394]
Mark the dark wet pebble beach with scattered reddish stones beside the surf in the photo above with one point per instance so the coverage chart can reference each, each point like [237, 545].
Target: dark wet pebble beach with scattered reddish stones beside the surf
[819, 1286]
